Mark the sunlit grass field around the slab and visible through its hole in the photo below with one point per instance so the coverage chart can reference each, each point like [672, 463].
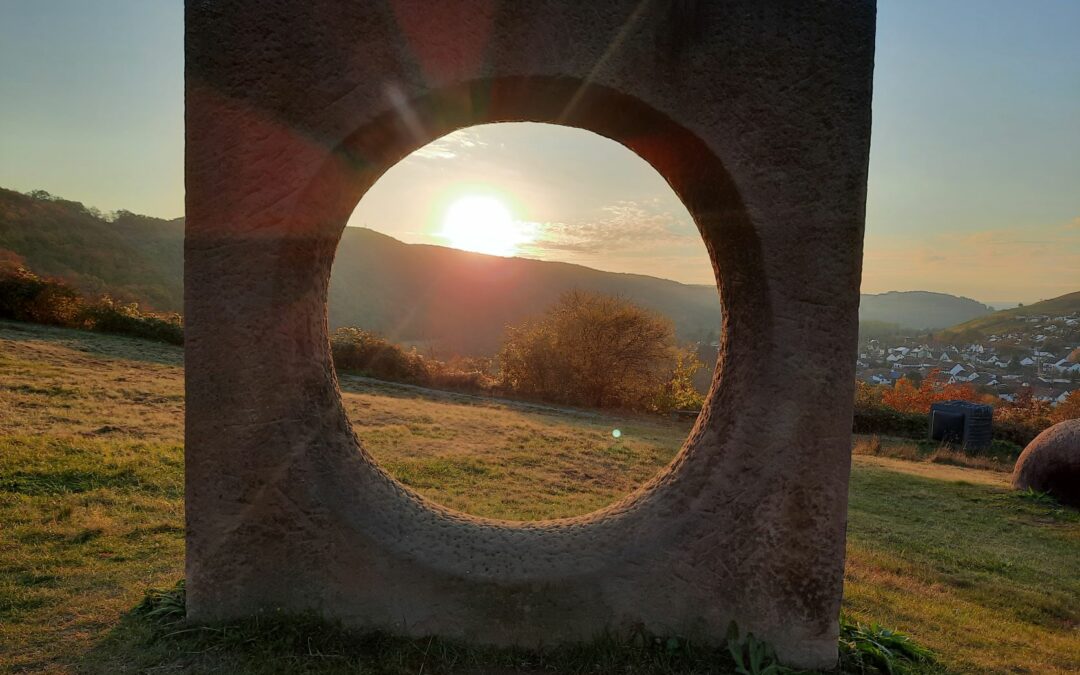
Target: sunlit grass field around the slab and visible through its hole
[91, 516]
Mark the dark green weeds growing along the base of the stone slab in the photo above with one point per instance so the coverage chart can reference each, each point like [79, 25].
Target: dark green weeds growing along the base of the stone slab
[303, 643]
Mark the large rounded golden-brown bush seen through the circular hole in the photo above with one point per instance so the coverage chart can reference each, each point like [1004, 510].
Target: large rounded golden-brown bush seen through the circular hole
[595, 350]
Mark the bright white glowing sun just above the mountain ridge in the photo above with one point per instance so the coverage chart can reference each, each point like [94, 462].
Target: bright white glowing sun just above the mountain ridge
[483, 224]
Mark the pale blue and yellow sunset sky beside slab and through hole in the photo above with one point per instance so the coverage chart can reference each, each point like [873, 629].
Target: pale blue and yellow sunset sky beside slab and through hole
[975, 178]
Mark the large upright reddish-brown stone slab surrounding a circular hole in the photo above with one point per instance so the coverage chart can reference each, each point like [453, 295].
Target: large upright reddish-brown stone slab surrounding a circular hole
[759, 115]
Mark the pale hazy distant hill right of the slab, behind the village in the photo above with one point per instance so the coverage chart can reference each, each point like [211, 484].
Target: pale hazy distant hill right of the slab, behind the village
[920, 310]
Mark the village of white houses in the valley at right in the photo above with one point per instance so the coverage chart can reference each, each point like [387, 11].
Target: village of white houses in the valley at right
[1042, 355]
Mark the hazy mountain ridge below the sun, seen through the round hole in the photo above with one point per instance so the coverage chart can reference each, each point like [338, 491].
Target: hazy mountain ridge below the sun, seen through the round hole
[461, 303]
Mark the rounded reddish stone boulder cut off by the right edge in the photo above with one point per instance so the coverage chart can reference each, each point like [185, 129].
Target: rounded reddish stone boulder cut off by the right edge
[1051, 464]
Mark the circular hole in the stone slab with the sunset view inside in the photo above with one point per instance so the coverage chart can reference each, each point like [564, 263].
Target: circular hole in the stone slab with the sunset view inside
[524, 321]
